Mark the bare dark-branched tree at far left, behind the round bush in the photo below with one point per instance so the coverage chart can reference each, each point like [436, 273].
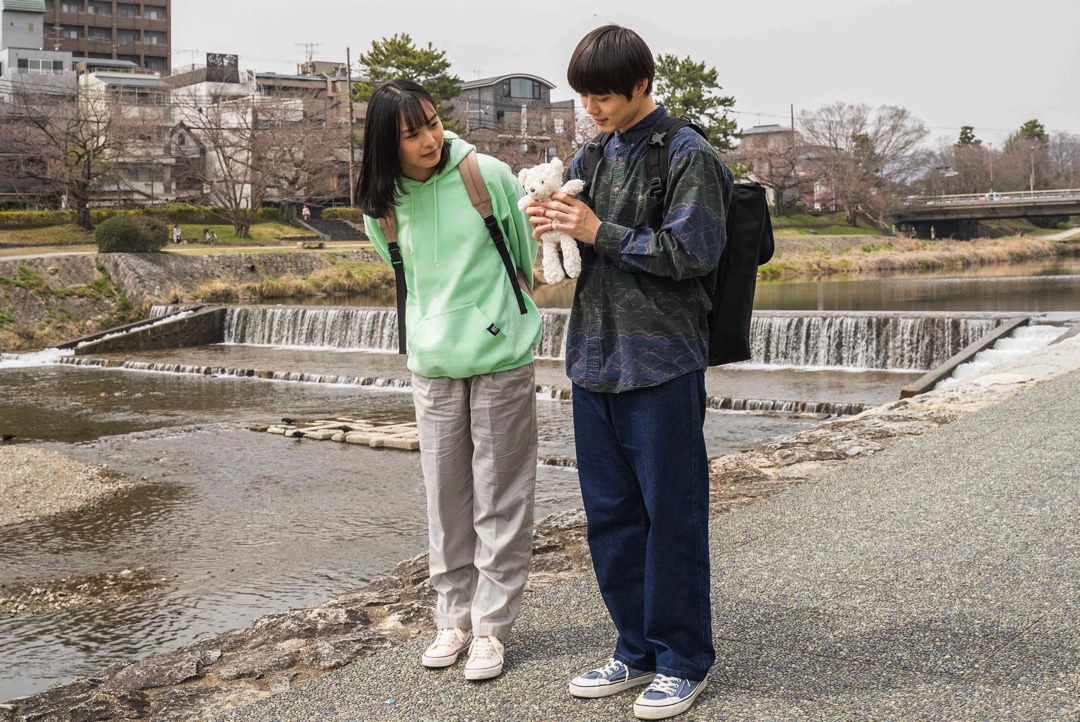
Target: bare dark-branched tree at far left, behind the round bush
[67, 139]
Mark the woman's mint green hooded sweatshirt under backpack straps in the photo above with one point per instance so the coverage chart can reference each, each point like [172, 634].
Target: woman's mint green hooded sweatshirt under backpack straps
[462, 317]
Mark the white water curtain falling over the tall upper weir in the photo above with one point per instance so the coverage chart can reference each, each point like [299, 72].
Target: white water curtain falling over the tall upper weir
[869, 340]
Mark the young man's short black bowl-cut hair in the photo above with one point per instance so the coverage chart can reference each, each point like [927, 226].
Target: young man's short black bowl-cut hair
[612, 60]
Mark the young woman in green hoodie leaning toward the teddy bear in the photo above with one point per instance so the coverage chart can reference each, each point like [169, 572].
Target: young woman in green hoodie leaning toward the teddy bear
[470, 350]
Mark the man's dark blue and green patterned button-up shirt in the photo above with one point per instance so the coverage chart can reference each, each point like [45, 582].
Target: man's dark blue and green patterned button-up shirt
[640, 307]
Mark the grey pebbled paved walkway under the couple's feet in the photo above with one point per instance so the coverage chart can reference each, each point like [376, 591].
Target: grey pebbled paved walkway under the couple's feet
[939, 580]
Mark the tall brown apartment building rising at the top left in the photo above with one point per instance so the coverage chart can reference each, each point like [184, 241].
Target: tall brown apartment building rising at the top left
[140, 33]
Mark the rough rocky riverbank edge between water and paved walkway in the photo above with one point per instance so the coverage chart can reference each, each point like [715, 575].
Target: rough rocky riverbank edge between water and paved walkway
[279, 652]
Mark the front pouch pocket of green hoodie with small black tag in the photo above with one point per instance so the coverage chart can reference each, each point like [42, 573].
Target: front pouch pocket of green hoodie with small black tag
[460, 344]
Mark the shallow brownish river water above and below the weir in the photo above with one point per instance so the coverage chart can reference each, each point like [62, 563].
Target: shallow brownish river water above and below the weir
[244, 524]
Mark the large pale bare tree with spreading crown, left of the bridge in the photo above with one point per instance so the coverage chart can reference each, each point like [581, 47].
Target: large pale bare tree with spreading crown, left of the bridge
[868, 155]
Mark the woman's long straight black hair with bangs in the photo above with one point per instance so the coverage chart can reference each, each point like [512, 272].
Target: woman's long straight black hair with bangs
[381, 171]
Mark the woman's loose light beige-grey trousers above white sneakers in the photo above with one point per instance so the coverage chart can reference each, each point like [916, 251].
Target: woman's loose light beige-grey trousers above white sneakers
[479, 456]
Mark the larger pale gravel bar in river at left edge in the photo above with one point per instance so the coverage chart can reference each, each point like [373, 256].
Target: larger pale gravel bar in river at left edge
[37, 483]
